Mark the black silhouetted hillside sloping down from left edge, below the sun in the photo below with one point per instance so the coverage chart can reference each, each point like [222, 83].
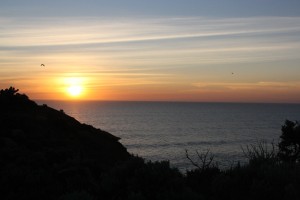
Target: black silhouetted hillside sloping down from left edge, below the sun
[44, 151]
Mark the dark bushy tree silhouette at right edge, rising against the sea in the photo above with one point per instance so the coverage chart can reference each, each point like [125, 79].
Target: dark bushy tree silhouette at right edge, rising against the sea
[289, 146]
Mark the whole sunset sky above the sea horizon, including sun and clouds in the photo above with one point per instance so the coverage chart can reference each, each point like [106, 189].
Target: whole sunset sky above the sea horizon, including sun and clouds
[158, 50]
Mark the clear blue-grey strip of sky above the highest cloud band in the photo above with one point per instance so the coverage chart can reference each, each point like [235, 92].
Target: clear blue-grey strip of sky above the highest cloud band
[113, 8]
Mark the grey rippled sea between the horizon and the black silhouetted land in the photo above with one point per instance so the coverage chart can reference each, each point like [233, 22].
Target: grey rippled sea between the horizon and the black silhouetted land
[164, 130]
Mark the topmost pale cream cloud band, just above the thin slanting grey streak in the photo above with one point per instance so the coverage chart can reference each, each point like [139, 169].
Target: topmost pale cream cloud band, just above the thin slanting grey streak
[38, 32]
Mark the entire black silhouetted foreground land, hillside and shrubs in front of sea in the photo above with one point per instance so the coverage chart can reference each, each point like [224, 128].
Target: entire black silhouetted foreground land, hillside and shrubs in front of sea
[46, 154]
